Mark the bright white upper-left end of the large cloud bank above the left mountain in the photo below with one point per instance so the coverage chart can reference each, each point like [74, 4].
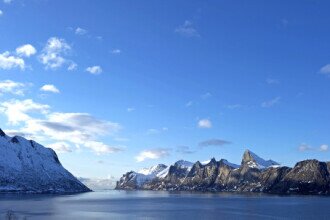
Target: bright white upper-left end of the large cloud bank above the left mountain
[17, 111]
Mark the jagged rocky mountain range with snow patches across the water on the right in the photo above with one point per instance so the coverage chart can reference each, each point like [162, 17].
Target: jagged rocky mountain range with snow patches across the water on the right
[253, 175]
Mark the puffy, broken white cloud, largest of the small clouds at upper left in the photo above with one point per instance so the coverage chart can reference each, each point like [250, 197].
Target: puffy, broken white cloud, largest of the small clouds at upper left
[52, 53]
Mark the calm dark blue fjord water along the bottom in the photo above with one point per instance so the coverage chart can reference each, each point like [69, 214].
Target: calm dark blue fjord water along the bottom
[162, 205]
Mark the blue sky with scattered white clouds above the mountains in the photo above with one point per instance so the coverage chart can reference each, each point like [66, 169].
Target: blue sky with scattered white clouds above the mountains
[119, 85]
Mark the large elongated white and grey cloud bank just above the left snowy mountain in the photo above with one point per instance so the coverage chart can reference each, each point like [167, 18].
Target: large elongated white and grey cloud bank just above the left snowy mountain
[79, 129]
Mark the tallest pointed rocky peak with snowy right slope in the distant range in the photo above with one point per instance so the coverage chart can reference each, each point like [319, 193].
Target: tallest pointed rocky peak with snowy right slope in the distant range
[254, 161]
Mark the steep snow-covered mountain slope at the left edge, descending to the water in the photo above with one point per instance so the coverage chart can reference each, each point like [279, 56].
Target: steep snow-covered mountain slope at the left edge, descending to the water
[26, 166]
